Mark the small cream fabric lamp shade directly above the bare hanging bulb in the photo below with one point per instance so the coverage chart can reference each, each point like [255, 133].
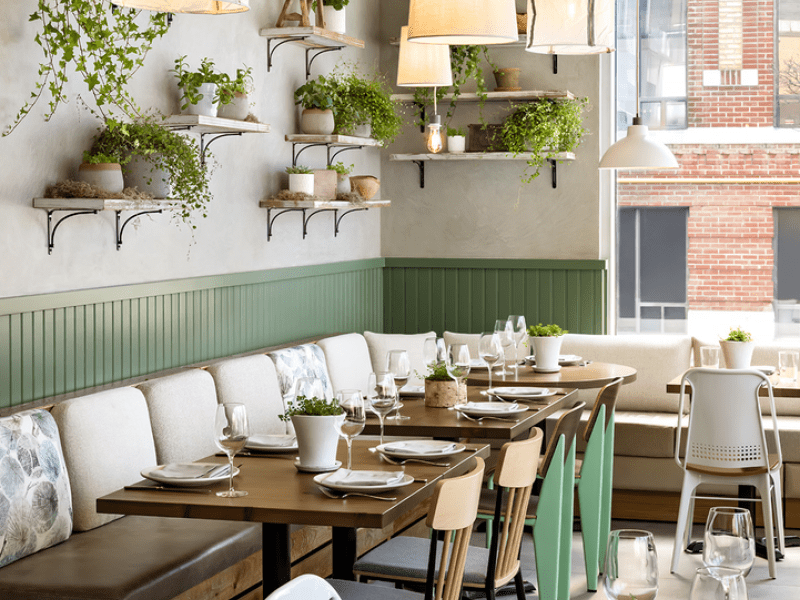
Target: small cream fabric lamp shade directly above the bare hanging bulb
[423, 65]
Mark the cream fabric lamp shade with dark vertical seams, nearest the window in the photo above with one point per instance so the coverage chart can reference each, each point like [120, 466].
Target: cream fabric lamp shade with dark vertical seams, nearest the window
[570, 26]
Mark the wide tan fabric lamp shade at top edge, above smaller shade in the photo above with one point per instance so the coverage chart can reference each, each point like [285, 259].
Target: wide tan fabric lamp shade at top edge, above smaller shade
[462, 22]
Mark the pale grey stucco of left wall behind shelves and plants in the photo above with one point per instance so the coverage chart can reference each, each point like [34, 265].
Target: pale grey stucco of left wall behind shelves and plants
[233, 237]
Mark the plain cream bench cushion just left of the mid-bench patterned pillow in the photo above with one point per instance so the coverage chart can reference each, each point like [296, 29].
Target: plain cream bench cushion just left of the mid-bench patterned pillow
[252, 381]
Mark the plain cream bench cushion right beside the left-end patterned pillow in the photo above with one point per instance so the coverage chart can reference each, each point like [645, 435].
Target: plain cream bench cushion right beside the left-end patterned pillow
[107, 441]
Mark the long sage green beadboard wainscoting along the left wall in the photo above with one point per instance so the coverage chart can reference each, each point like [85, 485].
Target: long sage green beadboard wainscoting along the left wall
[57, 343]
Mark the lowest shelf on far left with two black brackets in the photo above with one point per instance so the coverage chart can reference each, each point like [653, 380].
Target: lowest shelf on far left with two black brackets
[91, 206]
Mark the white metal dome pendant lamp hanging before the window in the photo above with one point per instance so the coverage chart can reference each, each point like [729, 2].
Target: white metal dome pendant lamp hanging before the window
[638, 150]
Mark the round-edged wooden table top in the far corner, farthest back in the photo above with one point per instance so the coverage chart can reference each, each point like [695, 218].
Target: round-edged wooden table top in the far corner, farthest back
[593, 375]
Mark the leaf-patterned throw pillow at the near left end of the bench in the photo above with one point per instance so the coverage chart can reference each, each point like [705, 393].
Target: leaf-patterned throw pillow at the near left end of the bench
[35, 498]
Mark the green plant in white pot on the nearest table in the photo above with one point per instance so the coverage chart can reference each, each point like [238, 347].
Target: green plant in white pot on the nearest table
[314, 422]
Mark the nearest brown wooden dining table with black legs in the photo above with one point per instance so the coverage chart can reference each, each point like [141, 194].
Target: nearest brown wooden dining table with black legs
[280, 496]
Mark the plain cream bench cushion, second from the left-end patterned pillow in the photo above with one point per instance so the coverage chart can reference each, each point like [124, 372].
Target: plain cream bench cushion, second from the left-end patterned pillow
[182, 408]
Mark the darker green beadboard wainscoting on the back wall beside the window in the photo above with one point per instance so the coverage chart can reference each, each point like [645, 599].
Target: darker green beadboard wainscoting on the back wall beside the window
[467, 295]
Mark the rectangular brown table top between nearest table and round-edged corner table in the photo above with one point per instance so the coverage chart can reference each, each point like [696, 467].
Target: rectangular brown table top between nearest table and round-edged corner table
[443, 423]
